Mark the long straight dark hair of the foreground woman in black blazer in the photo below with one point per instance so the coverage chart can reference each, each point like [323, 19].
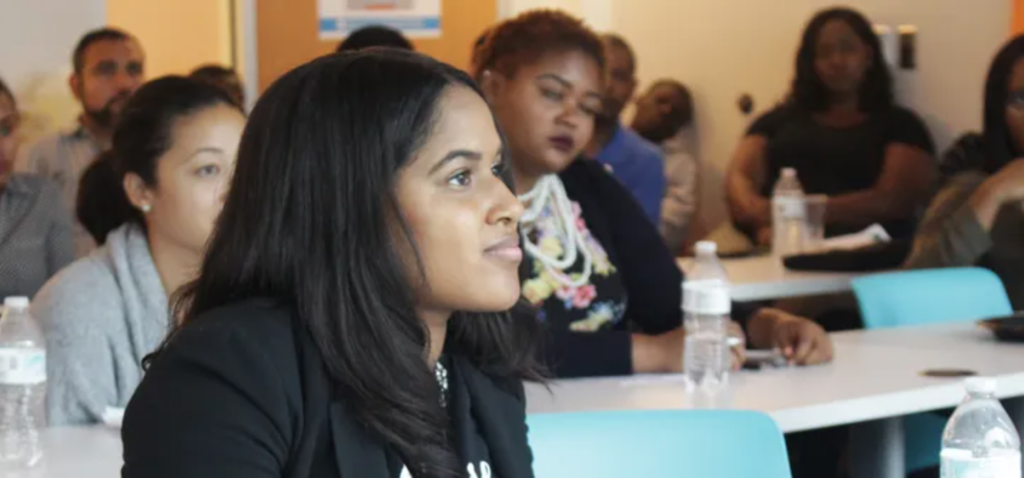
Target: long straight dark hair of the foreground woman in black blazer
[312, 220]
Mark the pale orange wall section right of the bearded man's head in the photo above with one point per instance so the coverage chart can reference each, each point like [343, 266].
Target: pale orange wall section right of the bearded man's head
[178, 35]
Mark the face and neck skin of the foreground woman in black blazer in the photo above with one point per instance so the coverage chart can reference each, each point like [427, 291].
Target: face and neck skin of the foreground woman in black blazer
[462, 216]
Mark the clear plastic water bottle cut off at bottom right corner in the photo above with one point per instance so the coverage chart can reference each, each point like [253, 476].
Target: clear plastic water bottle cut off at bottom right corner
[980, 441]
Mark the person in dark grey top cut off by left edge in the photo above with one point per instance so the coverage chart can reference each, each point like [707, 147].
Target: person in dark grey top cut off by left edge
[35, 226]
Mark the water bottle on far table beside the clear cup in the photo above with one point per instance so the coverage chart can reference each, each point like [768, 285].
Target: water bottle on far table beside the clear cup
[789, 213]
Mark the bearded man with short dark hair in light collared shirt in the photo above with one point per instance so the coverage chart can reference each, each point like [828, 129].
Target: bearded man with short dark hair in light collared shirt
[108, 69]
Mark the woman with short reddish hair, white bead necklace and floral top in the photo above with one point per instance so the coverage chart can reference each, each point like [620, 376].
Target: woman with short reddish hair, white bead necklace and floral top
[606, 284]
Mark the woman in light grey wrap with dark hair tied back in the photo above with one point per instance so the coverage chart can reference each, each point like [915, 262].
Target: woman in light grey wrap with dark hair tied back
[162, 188]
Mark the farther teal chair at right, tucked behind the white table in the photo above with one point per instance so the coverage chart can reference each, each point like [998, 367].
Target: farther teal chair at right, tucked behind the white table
[924, 297]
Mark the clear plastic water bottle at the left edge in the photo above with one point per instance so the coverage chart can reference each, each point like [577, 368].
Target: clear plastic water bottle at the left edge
[23, 385]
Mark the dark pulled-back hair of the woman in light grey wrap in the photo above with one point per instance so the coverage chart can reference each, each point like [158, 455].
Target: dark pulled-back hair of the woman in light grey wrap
[142, 137]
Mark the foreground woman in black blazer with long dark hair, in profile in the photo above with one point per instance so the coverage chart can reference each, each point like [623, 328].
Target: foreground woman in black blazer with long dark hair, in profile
[351, 317]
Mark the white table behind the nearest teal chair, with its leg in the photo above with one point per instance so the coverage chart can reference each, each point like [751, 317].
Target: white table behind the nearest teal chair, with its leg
[876, 377]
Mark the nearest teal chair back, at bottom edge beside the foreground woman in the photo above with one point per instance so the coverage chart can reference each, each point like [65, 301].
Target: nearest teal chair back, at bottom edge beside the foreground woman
[658, 444]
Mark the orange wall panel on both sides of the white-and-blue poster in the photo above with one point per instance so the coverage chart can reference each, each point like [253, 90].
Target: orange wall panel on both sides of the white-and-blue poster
[287, 34]
